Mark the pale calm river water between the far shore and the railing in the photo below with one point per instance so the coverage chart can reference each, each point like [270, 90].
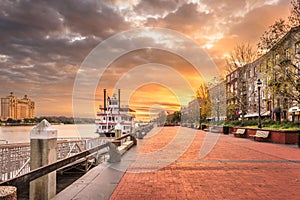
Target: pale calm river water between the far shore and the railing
[19, 134]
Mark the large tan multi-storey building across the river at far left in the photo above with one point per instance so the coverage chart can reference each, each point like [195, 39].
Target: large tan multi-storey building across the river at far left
[17, 109]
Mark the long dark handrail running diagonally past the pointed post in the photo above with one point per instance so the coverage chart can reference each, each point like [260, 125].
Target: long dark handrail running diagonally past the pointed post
[41, 171]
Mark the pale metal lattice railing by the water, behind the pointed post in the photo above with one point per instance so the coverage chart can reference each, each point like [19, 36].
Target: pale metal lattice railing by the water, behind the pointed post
[15, 158]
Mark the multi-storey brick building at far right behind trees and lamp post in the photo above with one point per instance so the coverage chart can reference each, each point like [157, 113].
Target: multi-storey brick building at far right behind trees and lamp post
[279, 71]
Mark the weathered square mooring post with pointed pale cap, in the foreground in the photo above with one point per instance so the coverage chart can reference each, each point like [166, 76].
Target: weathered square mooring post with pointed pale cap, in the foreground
[43, 147]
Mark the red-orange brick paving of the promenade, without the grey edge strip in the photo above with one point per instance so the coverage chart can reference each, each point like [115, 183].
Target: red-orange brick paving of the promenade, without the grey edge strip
[236, 168]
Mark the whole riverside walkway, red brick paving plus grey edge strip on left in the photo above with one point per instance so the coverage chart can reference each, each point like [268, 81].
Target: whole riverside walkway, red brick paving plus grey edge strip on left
[235, 168]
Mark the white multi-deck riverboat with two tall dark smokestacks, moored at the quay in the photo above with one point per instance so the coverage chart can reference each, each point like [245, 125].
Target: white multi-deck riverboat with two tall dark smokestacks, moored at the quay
[112, 118]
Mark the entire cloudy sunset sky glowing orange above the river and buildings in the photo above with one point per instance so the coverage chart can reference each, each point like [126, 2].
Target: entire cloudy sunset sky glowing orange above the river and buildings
[62, 54]
